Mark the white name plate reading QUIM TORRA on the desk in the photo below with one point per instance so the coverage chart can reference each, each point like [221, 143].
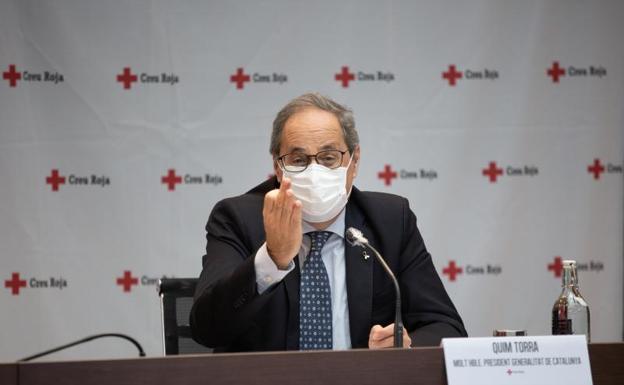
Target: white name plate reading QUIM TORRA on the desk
[517, 360]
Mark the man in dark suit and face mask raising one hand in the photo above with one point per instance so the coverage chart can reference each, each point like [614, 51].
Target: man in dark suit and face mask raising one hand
[278, 274]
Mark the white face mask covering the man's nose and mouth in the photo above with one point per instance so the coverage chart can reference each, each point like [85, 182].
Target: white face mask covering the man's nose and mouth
[322, 191]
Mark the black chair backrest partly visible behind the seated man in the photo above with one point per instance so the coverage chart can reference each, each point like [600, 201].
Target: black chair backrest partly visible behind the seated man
[176, 300]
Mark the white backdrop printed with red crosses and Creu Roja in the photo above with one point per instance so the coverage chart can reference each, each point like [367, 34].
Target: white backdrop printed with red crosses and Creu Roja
[540, 95]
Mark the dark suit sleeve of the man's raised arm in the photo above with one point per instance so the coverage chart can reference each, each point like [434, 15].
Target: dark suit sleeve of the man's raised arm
[226, 298]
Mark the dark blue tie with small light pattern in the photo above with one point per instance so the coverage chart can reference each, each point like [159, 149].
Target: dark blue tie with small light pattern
[315, 318]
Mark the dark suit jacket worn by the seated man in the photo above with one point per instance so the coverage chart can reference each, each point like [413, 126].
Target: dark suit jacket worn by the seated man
[228, 314]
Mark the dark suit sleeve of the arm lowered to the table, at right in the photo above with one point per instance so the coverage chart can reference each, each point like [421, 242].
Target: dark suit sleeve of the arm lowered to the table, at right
[428, 312]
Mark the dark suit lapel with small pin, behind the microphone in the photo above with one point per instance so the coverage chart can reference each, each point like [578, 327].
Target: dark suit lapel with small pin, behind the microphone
[359, 271]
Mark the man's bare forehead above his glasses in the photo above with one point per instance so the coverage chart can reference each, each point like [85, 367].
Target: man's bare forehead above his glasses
[312, 130]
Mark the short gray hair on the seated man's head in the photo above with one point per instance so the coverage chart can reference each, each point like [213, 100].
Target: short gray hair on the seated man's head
[314, 100]
